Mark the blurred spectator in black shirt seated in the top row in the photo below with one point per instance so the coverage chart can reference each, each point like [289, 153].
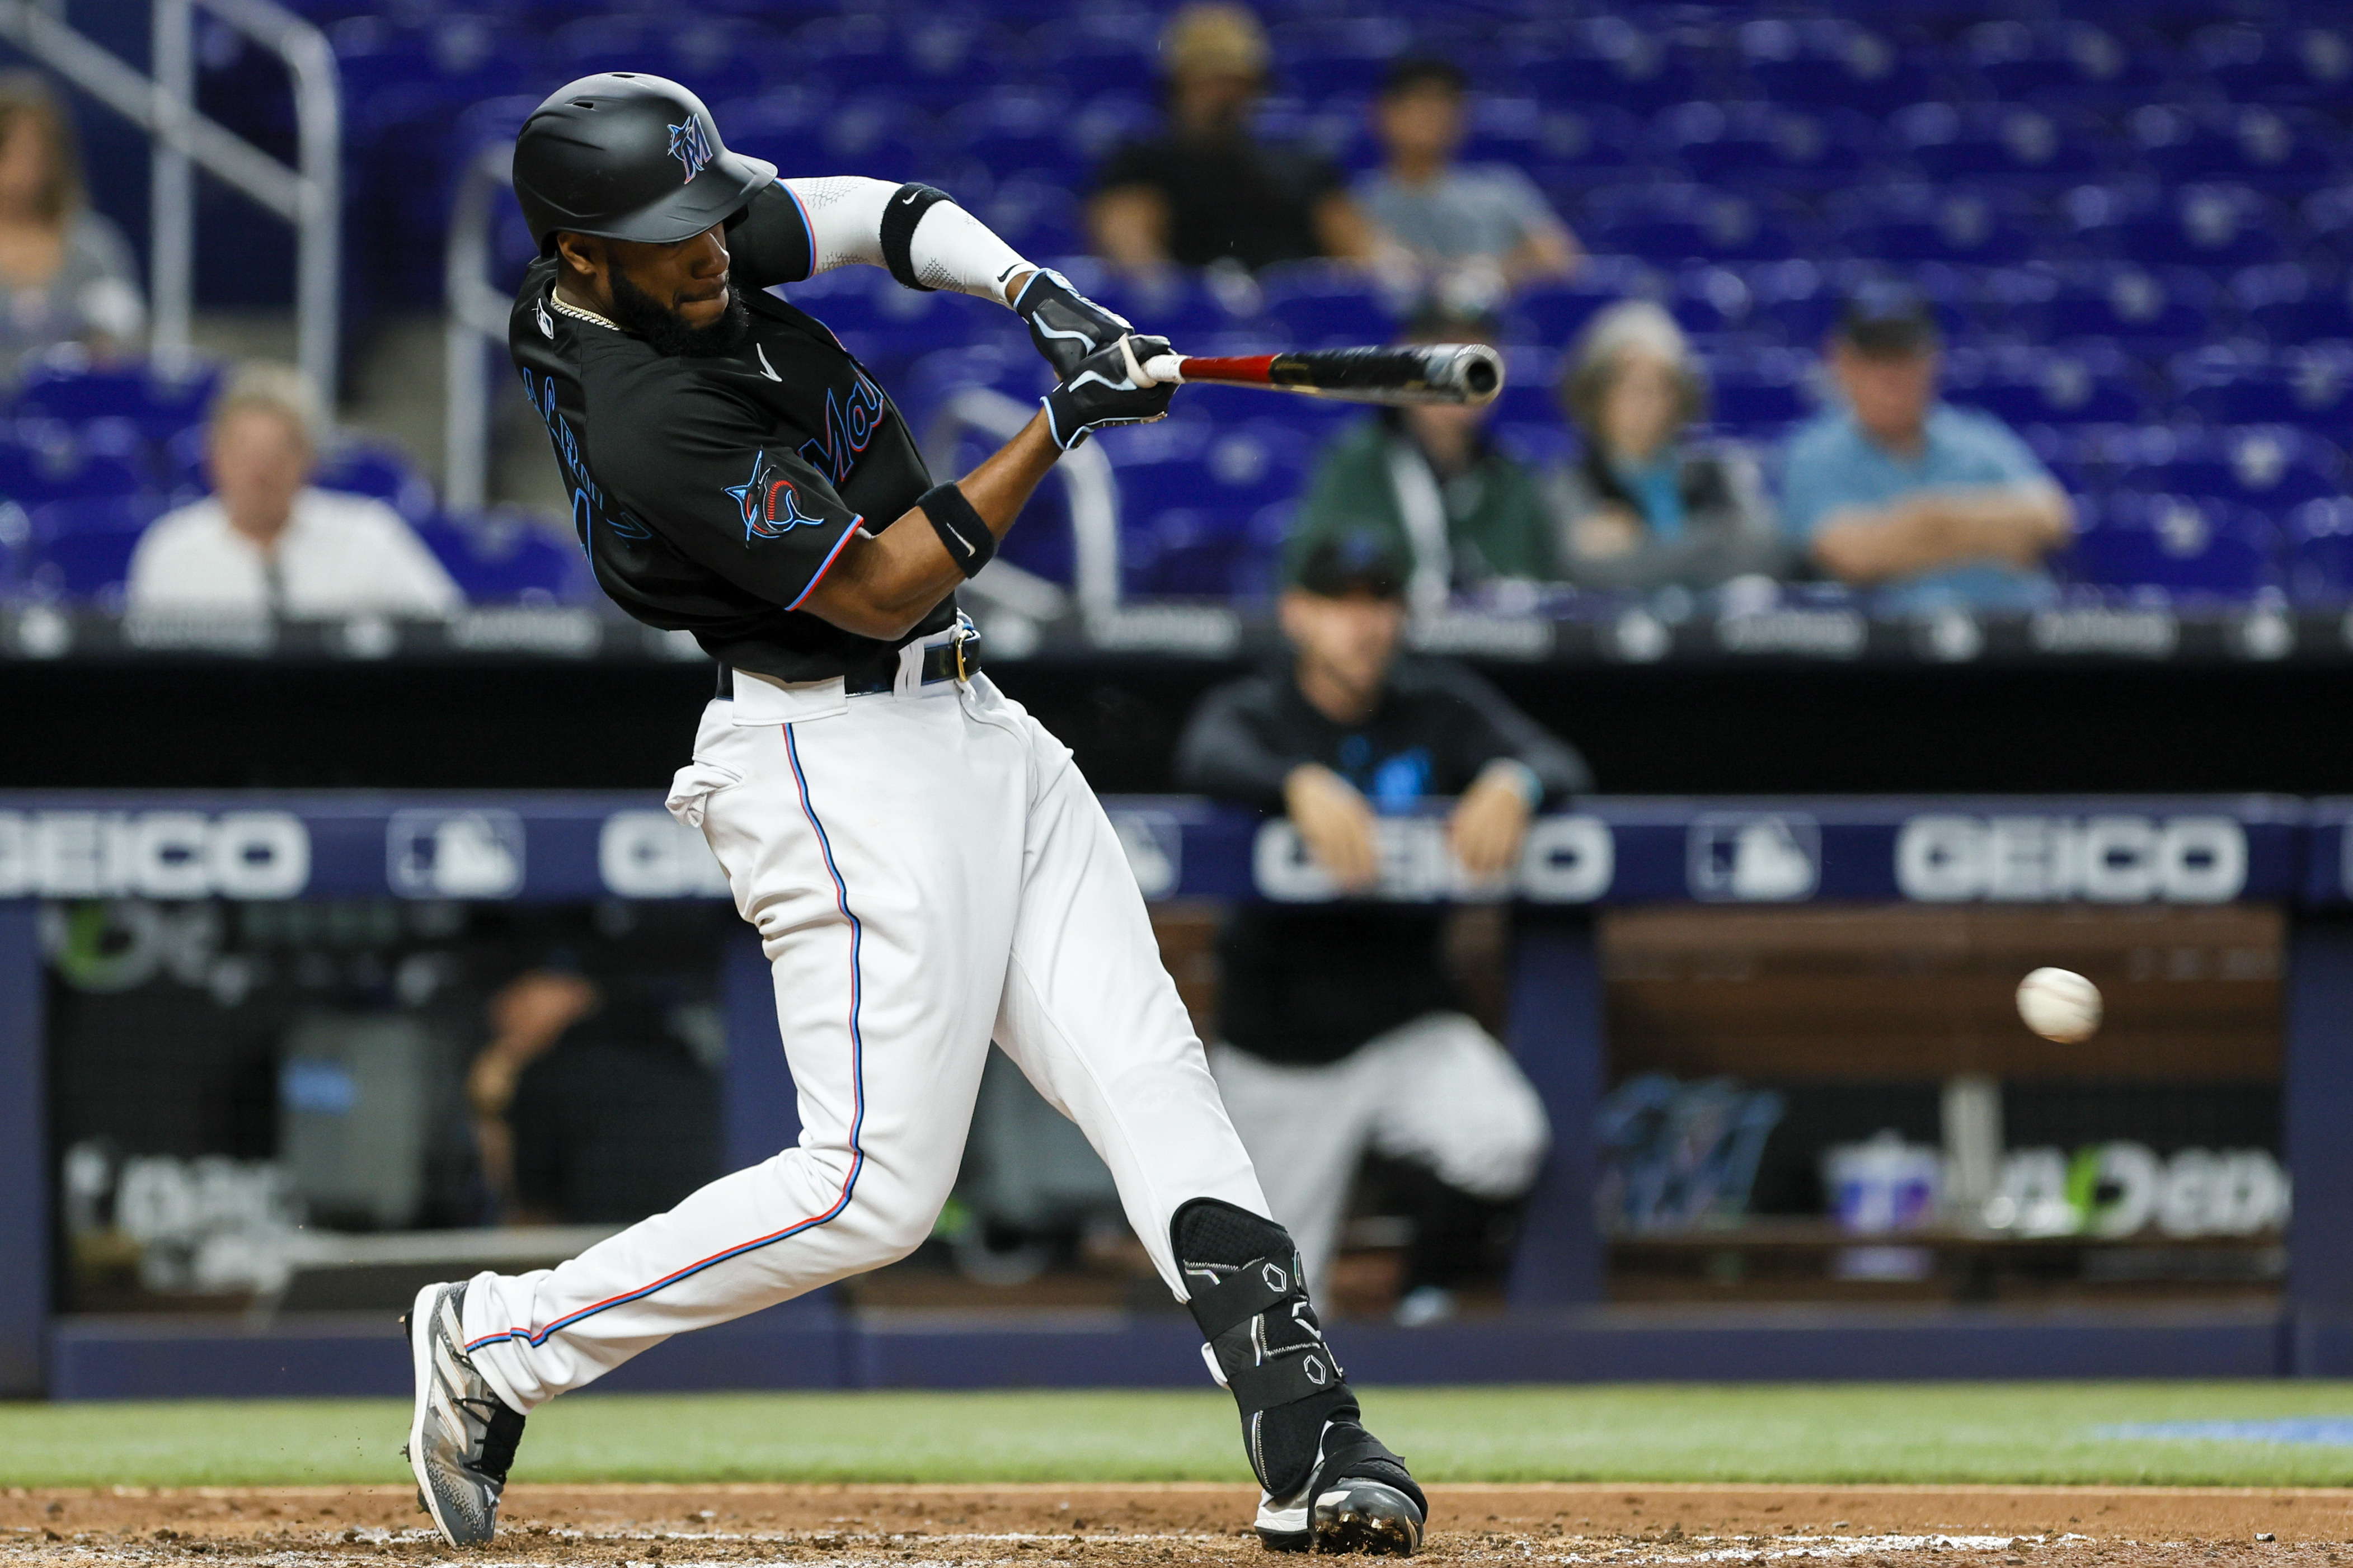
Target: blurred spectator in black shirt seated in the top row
[1208, 192]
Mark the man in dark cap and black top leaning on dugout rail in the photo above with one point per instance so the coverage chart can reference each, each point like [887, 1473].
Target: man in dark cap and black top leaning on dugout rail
[1342, 1026]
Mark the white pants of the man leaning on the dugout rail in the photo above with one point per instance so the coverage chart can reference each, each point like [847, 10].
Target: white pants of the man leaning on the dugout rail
[1437, 1090]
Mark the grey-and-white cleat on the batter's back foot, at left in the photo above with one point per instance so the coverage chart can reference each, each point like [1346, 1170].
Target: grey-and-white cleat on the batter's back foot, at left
[462, 1435]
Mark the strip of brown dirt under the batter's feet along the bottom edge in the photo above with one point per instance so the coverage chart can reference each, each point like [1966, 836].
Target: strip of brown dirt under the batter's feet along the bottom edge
[1119, 1527]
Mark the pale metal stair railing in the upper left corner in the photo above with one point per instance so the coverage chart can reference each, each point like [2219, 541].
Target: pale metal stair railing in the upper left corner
[307, 196]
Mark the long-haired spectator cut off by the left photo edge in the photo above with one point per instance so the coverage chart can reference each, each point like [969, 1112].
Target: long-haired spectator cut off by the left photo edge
[65, 272]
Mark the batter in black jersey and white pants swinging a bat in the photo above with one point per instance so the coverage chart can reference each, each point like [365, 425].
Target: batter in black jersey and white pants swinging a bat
[926, 866]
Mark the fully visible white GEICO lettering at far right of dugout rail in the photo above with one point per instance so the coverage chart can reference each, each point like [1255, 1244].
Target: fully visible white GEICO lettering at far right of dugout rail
[2102, 859]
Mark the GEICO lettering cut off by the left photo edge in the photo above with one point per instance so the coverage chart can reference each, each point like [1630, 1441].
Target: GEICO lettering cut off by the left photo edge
[154, 855]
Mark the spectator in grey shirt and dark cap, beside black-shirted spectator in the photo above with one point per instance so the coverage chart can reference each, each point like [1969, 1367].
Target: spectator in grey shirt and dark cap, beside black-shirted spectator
[1472, 232]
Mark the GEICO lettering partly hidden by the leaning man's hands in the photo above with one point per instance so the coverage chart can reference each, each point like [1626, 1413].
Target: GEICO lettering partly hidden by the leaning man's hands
[1568, 859]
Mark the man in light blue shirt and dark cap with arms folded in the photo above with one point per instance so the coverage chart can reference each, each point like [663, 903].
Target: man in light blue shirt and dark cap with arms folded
[1905, 492]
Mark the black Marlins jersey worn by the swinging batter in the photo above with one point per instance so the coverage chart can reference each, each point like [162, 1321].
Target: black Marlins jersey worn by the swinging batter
[714, 492]
